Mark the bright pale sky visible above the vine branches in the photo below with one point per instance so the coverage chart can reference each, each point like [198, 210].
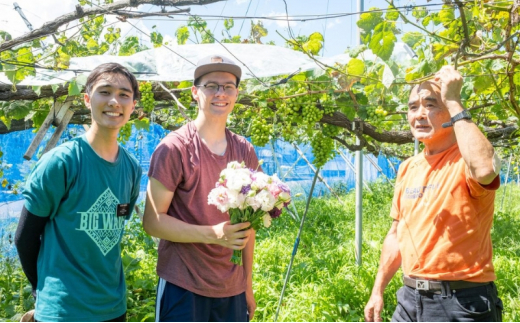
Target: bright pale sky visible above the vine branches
[340, 32]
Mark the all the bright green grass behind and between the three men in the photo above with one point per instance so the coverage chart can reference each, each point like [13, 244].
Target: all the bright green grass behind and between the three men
[325, 283]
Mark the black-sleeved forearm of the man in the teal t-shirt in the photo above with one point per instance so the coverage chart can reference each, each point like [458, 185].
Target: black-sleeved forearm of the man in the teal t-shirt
[27, 241]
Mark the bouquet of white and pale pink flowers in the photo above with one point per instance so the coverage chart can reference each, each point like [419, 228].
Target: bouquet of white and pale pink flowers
[249, 196]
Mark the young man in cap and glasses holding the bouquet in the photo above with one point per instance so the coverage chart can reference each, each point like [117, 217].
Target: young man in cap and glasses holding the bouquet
[197, 281]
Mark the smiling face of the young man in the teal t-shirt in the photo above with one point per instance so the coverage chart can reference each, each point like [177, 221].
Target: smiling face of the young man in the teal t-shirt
[111, 101]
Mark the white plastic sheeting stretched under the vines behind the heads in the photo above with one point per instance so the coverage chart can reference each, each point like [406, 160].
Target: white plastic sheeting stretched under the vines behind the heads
[177, 63]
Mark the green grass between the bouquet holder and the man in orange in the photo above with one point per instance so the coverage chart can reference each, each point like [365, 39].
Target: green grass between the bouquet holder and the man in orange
[325, 282]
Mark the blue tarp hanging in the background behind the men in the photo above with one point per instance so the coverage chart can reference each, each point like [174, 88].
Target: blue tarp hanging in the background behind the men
[279, 157]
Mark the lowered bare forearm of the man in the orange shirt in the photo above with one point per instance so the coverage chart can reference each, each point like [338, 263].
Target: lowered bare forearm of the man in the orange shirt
[390, 261]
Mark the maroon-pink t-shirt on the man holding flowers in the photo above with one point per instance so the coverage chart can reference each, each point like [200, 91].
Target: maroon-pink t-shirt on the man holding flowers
[186, 166]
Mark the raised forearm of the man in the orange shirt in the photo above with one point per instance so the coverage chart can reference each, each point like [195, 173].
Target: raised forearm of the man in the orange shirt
[475, 148]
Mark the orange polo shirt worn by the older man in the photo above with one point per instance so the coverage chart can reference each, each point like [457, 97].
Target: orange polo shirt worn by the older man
[445, 219]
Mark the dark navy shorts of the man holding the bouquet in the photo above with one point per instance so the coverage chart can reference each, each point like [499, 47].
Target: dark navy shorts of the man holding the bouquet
[176, 304]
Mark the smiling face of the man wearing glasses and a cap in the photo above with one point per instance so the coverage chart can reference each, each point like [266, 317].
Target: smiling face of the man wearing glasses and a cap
[219, 104]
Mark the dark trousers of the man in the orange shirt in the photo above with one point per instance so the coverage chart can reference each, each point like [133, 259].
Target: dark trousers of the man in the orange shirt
[475, 304]
